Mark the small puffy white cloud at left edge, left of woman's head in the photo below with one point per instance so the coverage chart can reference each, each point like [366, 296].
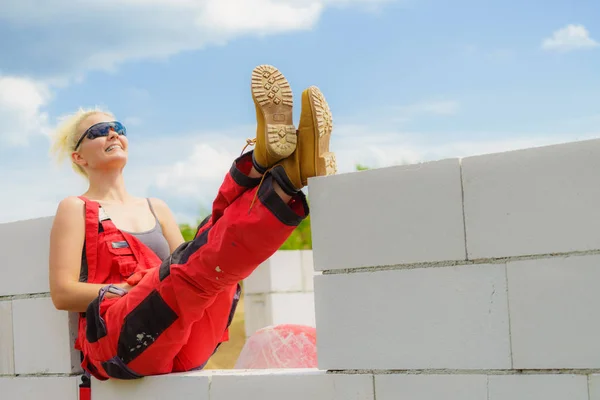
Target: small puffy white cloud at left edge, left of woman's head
[21, 104]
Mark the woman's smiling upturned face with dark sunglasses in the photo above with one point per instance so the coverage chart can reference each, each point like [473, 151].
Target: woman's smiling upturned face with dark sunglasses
[104, 152]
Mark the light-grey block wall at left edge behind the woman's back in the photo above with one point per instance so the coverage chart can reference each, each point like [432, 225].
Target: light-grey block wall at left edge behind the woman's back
[37, 360]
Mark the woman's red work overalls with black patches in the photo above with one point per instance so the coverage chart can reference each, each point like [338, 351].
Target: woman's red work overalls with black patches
[179, 310]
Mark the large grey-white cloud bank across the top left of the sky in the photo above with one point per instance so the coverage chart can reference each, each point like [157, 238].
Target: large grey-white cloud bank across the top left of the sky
[102, 35]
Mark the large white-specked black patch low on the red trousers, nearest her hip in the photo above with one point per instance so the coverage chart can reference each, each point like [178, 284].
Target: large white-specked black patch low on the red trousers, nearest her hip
[143, 326]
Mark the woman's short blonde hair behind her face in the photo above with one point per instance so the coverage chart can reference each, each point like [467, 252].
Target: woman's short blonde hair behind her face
[66, 136]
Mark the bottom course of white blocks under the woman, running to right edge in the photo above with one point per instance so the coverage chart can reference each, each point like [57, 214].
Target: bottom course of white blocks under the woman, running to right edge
[318, 385]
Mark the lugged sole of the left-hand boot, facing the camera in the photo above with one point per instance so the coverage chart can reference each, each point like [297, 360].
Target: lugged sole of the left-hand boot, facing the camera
[271, 91]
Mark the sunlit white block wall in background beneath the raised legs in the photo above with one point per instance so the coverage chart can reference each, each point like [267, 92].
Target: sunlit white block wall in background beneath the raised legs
[280, 291]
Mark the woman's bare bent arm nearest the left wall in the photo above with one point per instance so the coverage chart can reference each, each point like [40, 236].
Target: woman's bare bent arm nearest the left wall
[66, 243]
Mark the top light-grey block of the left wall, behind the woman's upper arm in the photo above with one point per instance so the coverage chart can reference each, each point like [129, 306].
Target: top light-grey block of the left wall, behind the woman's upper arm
[25, 247]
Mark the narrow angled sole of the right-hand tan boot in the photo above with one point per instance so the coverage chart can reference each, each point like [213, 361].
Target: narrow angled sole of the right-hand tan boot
[325, 161]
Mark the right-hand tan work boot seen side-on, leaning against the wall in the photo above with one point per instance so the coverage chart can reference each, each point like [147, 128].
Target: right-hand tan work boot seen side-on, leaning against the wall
[312, 156]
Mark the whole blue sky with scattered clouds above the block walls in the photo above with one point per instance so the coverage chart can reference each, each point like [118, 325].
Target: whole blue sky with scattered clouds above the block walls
[407, 81]
